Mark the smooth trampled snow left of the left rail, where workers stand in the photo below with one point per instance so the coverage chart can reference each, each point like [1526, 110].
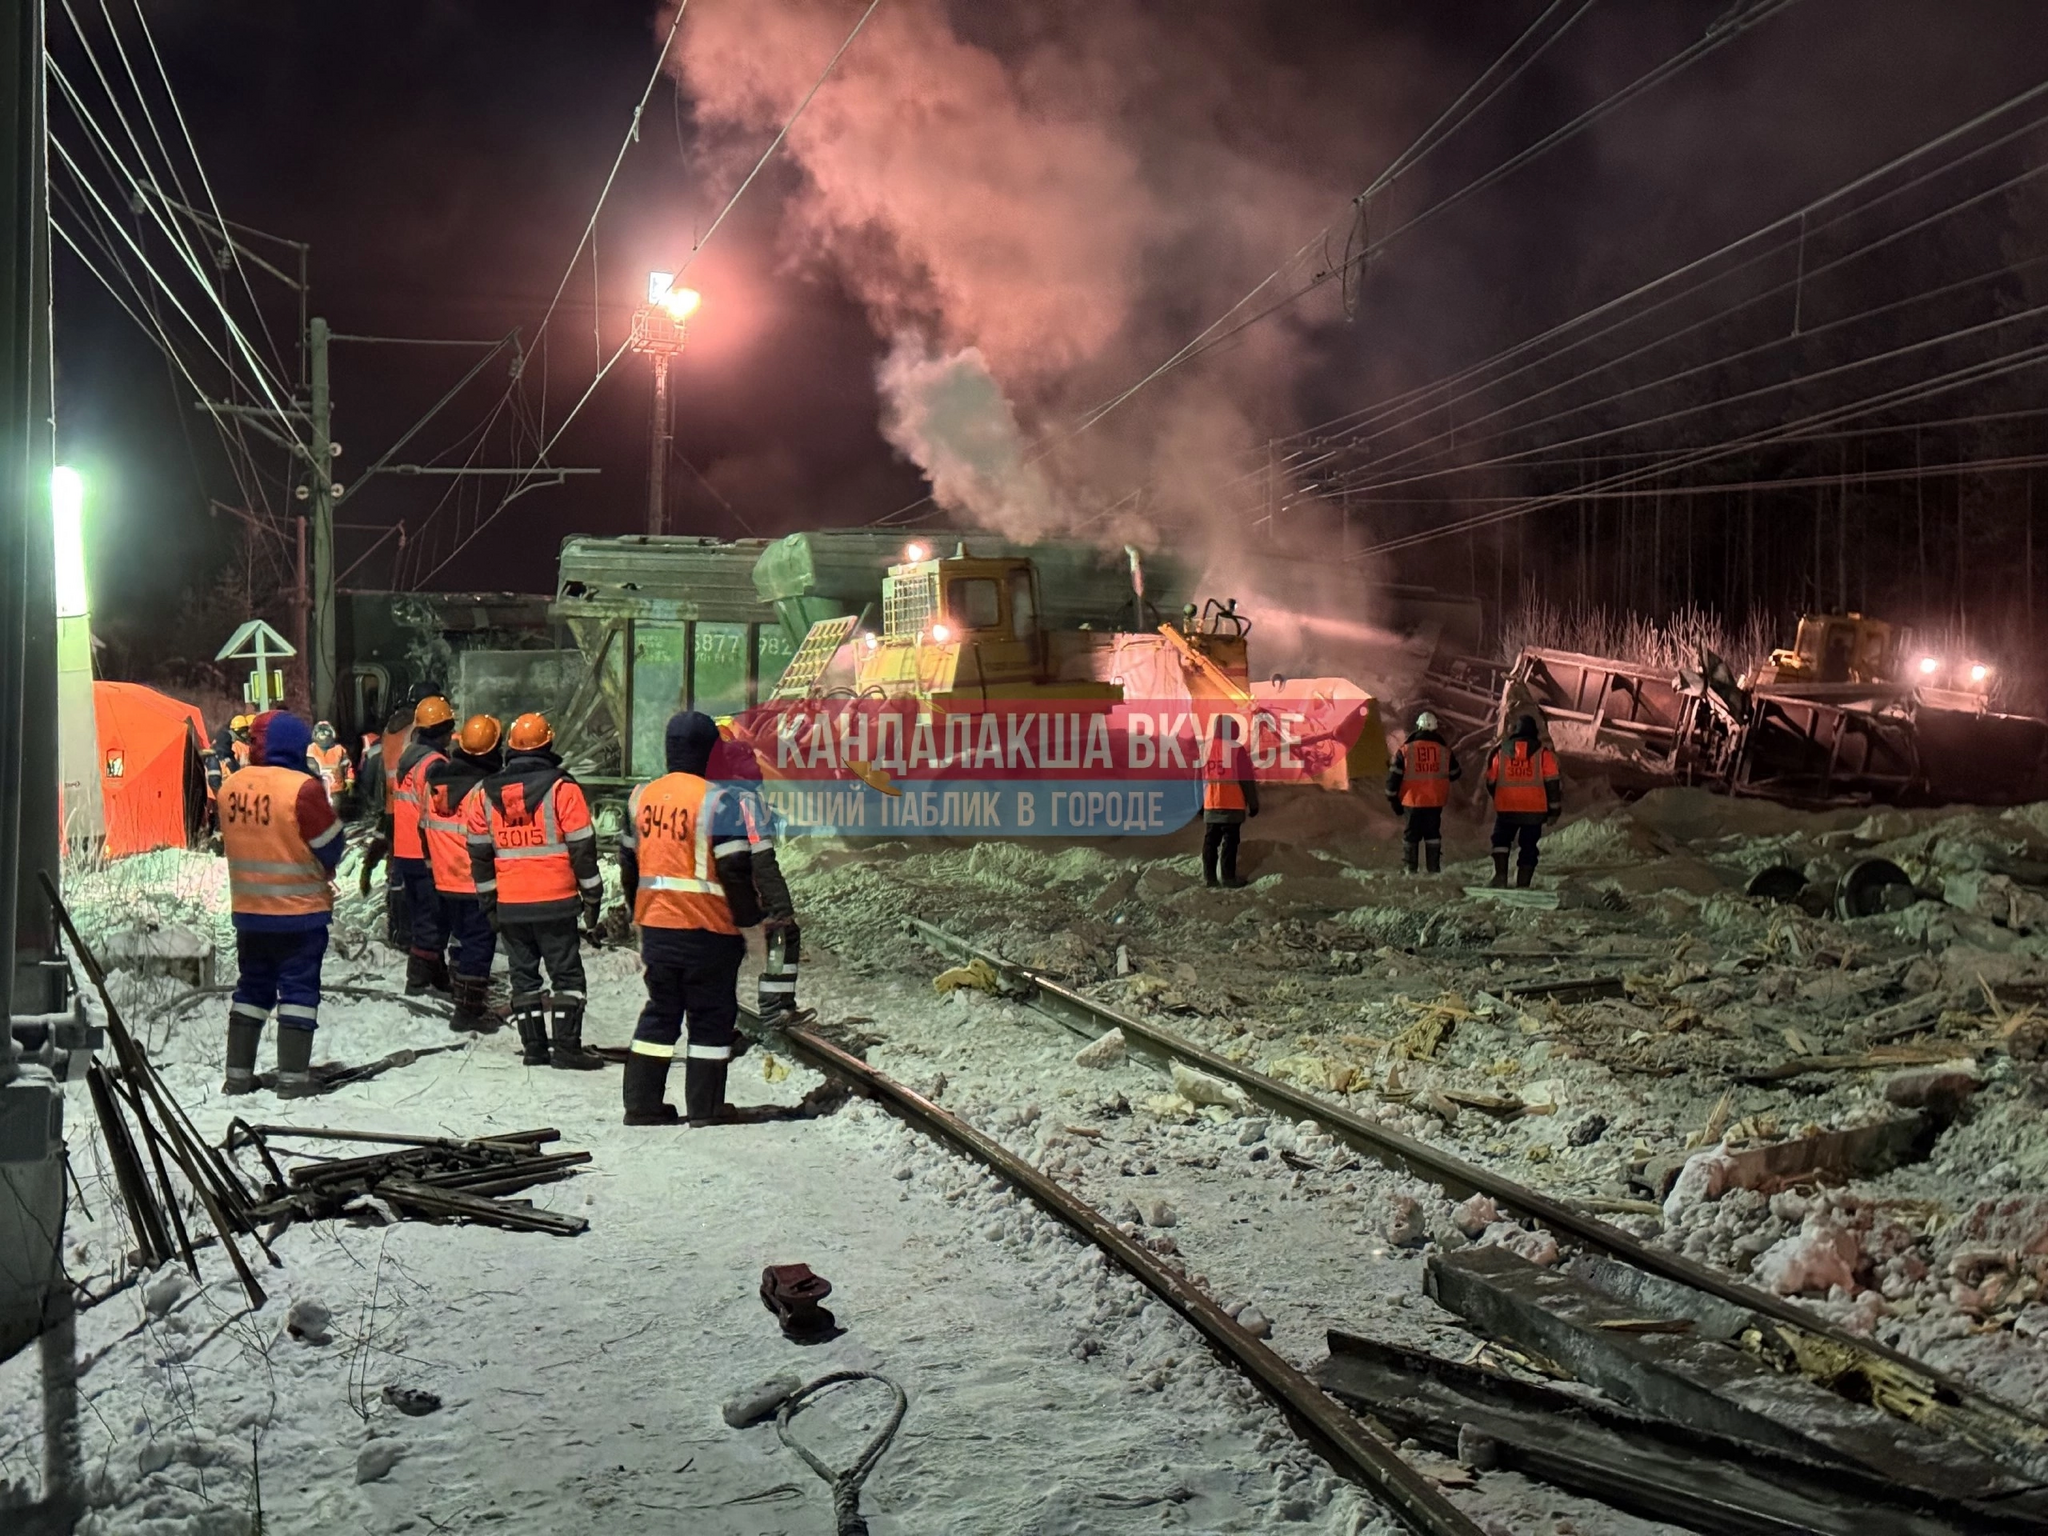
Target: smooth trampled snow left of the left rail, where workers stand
[583, 1379]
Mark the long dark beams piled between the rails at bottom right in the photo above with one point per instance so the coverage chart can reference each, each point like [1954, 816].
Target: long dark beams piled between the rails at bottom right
[1701, 1412]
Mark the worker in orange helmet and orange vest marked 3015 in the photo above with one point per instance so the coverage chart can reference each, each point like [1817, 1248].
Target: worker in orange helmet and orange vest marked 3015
[536, 861]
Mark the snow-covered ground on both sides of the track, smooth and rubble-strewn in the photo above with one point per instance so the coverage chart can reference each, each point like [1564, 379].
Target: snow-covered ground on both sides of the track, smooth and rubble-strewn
[583, 1379]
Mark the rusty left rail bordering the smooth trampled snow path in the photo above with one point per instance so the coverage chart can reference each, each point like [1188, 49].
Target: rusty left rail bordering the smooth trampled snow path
[1336, 1433]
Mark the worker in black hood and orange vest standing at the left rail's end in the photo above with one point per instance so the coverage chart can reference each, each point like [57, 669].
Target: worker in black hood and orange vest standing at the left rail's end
[699, 867]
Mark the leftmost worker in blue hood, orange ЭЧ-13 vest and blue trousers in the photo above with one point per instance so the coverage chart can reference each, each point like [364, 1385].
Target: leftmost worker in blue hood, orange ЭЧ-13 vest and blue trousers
[284, 843]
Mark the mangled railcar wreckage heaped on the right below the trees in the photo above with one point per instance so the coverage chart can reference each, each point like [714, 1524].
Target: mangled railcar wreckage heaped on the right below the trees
[1803, 744]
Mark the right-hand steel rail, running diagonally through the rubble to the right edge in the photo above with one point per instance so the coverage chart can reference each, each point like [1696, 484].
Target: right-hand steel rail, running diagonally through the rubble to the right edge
[1996, 1428]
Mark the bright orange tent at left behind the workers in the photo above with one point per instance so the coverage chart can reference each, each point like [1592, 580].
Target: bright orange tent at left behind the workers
[153, 781]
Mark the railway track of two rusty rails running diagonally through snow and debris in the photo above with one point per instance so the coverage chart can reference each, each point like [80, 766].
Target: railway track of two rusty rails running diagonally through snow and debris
[1691, 1476]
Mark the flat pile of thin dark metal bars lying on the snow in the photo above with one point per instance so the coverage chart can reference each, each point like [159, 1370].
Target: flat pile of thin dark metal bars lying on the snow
[425, 1177]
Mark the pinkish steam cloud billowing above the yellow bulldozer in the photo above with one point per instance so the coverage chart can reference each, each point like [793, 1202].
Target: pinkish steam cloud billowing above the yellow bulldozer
[1039, 204]
